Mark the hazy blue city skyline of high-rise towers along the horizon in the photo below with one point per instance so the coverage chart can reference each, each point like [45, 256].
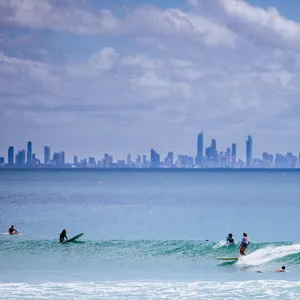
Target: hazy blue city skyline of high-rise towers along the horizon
[204, 158]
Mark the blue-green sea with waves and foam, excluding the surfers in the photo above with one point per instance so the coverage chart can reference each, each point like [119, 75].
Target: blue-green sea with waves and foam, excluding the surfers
[149, 234]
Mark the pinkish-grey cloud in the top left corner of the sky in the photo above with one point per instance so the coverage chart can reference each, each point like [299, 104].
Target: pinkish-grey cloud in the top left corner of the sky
[56, 15]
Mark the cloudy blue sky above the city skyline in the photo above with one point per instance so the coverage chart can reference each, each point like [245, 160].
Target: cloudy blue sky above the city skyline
[92, 77]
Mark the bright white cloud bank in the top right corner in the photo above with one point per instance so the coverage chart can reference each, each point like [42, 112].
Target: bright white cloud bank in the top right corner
[253, 23]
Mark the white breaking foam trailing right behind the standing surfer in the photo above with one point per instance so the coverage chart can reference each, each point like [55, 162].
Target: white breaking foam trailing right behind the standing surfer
[268, 254]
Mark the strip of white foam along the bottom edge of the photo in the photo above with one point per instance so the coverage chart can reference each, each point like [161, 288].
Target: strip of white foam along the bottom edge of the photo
[262, 289]
